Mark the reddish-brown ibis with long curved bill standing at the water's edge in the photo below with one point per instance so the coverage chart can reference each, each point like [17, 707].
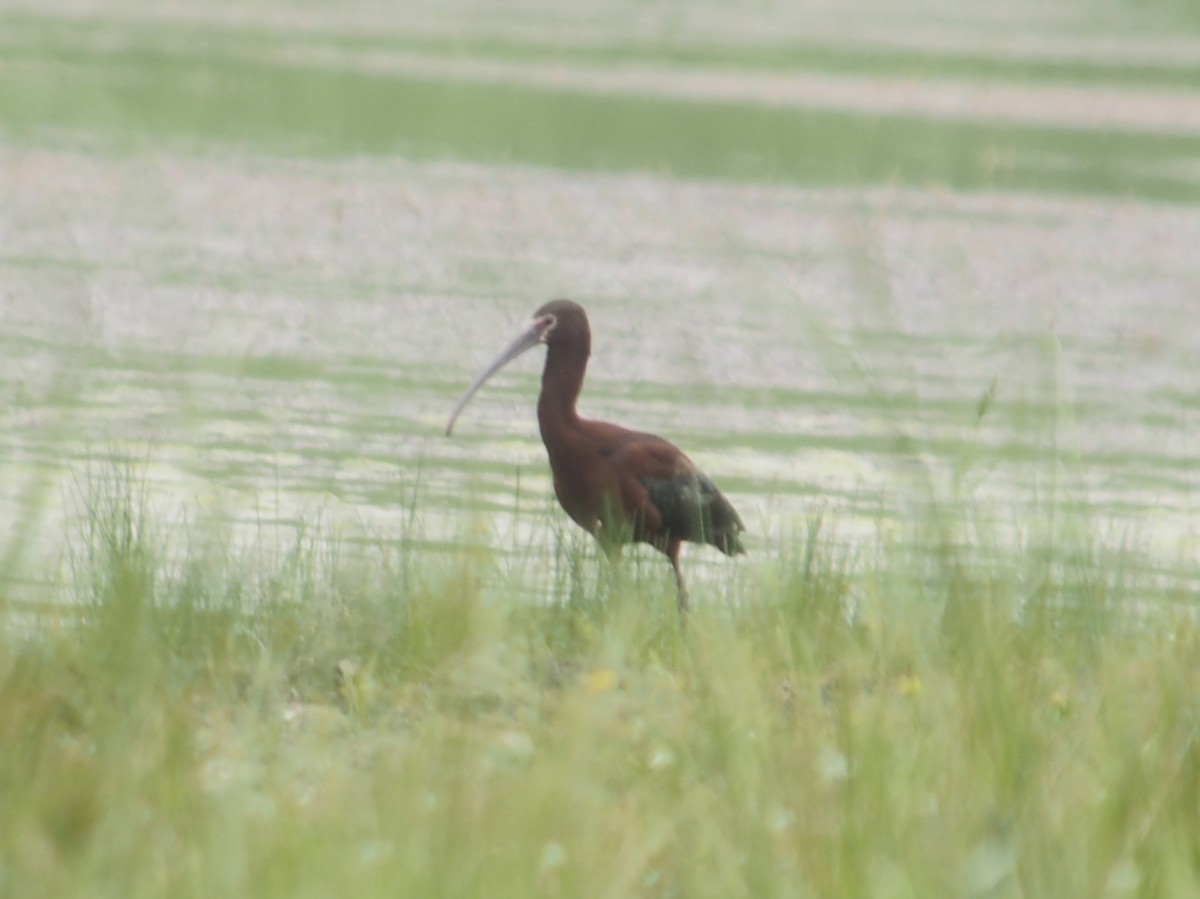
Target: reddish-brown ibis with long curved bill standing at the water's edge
[620, 486]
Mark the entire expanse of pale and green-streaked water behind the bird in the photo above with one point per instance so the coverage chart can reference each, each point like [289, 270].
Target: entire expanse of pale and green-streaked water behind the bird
[857, 261]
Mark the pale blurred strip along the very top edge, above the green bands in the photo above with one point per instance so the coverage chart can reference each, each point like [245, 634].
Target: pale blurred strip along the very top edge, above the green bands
[1033, 31]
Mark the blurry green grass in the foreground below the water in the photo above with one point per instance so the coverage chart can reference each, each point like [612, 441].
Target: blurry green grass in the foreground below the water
[903, 724]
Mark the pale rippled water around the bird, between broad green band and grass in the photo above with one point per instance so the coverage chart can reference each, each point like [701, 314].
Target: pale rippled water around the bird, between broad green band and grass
[805, 347]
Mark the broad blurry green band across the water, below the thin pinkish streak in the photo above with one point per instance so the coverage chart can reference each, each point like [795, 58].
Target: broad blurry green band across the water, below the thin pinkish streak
[140, 97]
